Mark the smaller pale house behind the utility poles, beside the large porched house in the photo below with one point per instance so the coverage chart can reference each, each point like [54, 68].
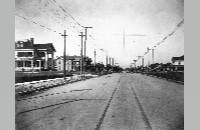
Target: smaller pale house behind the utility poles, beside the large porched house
[72, 63]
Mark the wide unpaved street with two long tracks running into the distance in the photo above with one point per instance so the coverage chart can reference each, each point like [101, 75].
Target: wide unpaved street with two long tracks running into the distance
[119, 101]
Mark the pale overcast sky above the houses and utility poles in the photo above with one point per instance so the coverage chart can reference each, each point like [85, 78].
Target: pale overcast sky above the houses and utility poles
[146, 23]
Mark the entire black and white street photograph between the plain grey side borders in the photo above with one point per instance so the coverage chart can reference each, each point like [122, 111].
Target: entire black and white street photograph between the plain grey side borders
[99, 64]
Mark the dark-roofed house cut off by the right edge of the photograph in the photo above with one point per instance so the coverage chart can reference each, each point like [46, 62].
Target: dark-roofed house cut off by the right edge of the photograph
[178, 63]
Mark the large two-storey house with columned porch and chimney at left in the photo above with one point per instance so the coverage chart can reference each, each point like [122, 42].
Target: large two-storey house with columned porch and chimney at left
[30, 56]
